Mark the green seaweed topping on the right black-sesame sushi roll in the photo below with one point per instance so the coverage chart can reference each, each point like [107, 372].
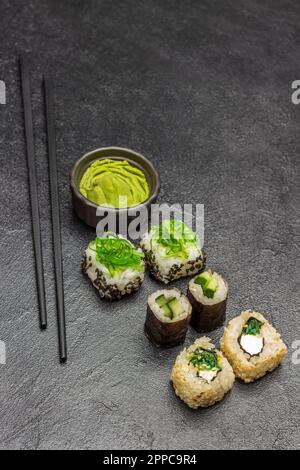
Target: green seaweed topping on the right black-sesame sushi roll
[174, 237]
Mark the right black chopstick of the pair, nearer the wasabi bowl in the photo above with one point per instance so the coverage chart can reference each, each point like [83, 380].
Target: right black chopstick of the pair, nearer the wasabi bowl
[55, 213]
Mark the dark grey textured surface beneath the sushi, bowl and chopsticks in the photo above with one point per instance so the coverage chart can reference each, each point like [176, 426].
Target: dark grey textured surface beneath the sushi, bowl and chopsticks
[203, 88]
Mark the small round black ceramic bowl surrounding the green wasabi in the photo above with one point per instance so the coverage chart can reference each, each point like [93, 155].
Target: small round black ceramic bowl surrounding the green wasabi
[85, 209]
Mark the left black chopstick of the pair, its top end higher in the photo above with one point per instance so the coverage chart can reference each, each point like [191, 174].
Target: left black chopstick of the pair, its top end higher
[35, 216]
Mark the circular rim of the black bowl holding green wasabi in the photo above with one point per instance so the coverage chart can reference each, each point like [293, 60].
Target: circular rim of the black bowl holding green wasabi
[92, 205]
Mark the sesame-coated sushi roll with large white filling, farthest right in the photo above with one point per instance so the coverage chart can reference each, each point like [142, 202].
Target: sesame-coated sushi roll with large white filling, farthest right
[252, 346]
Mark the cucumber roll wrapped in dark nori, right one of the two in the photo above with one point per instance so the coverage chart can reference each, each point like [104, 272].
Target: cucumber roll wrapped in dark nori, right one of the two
[207, 294]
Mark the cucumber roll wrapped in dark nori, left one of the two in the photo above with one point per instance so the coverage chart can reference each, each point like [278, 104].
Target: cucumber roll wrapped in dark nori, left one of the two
[168, 316]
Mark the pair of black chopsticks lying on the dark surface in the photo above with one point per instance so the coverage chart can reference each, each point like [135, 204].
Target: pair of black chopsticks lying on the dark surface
[55, 210]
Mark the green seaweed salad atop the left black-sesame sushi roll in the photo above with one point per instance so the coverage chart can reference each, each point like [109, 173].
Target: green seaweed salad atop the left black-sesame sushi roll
[116, 253]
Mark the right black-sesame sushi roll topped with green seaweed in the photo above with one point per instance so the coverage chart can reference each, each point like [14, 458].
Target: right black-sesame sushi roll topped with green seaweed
[172, 250]
